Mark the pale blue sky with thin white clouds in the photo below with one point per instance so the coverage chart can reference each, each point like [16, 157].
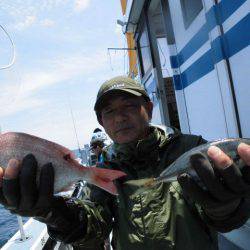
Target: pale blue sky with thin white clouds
[62, 58]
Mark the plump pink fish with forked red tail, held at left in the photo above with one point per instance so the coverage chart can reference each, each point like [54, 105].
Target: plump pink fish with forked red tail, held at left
[67, 169]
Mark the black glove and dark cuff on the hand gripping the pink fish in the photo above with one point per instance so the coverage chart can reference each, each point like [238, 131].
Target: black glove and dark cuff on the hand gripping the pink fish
[22, 196]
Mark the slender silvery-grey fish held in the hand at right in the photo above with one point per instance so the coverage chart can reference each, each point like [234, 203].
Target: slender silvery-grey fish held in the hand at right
[183, 165]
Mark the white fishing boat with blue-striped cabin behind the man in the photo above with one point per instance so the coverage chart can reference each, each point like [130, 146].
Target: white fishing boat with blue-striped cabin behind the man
[192, 56]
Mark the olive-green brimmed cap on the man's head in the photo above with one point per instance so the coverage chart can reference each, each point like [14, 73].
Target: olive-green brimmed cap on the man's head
[122, 84]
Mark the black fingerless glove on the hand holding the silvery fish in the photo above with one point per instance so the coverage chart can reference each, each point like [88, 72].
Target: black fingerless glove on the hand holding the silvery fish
[224, 197]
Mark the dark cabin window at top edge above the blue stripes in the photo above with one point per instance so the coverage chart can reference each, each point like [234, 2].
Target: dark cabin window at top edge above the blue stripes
[190, 10]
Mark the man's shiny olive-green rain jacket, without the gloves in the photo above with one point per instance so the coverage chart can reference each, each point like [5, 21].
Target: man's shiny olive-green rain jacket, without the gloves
[157, 218]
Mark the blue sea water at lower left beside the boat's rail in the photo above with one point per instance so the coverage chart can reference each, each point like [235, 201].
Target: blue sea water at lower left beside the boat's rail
[8, 225]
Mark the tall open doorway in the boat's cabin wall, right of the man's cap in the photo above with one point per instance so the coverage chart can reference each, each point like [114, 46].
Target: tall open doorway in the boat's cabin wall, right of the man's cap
[161, 33]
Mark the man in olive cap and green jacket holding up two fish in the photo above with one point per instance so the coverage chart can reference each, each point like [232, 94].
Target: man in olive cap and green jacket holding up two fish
[178, 215]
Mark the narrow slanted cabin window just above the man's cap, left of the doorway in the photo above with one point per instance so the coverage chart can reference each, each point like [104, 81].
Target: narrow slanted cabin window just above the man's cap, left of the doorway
[144, 51]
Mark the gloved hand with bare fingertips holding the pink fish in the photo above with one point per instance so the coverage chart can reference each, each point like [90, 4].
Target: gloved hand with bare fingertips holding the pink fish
[18, 189]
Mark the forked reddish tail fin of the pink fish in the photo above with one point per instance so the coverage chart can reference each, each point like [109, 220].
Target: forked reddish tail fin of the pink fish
[104, 178]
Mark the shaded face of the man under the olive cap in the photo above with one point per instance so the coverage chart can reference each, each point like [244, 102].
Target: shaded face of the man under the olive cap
[125, 117]
